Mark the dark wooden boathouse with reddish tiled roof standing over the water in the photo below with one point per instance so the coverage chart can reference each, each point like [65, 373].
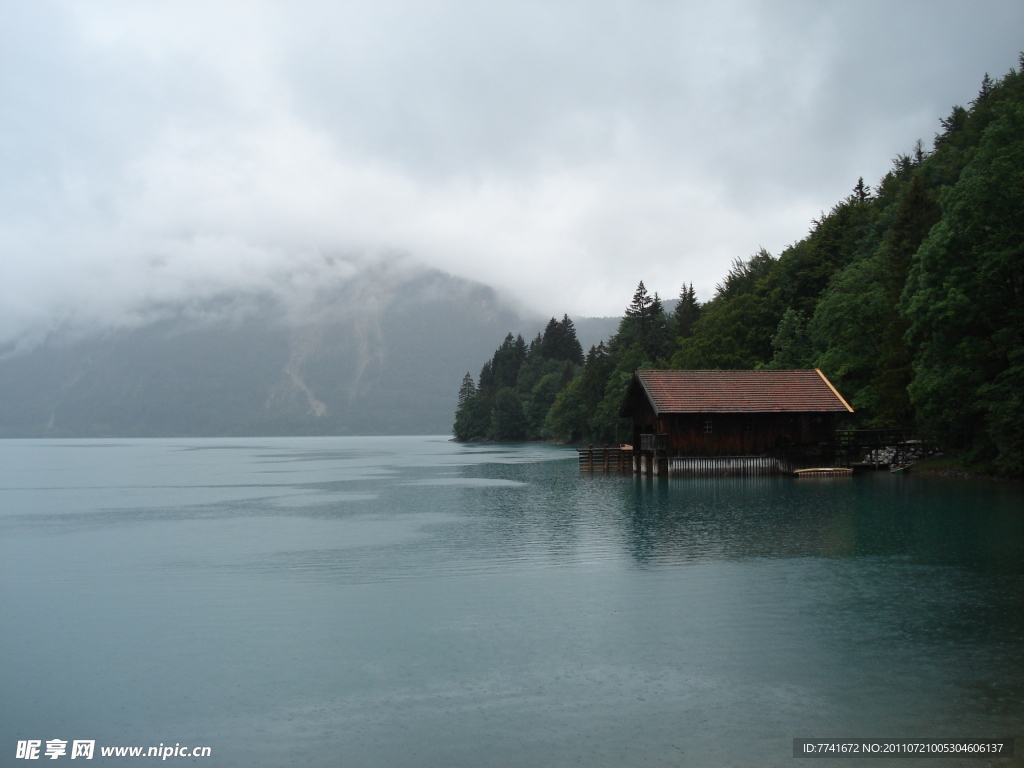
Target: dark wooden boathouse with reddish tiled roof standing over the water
[733, 422]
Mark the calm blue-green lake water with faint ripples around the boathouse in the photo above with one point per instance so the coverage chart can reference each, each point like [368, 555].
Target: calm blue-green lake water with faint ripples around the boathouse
[408, 602]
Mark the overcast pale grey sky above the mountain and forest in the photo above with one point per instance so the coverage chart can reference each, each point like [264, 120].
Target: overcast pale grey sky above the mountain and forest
[560, 152]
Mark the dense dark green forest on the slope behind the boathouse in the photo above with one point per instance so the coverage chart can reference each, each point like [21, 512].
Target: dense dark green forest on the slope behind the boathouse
[910, 296]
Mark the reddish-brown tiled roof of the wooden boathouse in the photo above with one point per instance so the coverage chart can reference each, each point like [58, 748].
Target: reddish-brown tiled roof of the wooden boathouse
[741, 392]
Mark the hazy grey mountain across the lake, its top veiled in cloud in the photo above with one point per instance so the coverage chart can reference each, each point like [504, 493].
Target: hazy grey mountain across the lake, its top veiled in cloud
[379, 353]
